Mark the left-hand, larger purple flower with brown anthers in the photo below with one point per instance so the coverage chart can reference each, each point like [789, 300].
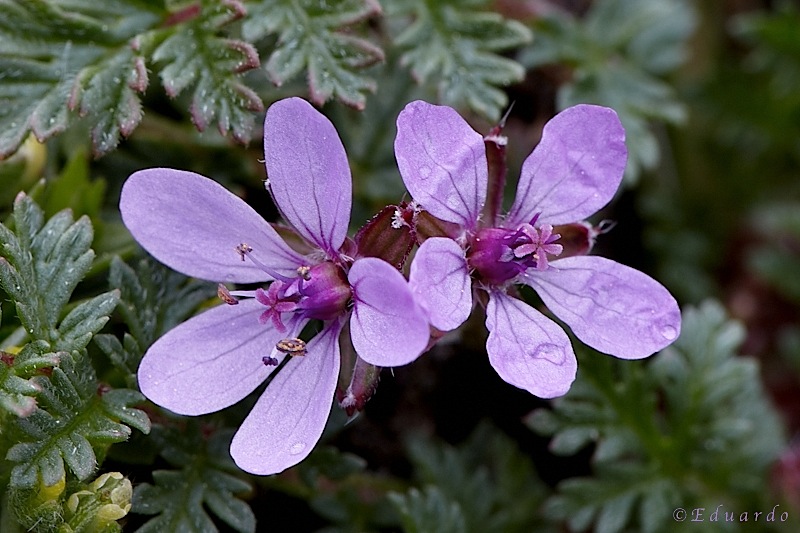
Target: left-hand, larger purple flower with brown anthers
[215, 359]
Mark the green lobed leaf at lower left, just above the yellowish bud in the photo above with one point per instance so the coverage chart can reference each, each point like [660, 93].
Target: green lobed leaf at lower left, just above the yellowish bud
[72, 424]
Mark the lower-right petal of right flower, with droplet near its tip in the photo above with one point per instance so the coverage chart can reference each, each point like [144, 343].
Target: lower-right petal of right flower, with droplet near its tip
[611, 307]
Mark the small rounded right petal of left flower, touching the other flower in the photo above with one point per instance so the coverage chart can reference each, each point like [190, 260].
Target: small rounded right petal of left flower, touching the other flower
[387, 327]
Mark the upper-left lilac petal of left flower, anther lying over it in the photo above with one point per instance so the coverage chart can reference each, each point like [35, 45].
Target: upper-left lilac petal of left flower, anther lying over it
[193, 225]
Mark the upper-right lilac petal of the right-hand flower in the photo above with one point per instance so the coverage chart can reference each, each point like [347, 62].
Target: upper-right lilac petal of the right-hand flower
[575, 169]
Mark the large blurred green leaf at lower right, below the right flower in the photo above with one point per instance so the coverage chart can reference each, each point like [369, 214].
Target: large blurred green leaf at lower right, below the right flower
[689, 424]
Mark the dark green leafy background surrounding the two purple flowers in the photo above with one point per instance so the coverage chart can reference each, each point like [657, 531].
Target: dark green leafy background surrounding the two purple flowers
[708, 92]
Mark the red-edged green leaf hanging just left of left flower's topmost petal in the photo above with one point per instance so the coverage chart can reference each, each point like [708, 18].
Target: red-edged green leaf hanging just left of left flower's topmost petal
[194, 54]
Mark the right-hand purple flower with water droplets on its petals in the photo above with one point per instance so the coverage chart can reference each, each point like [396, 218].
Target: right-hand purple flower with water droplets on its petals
[573, 172]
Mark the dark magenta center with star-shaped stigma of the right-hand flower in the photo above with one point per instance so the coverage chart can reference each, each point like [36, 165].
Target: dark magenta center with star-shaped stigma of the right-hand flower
[497, 255]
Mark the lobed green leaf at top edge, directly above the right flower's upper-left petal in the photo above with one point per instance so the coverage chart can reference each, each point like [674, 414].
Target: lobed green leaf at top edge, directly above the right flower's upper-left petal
[452, 45]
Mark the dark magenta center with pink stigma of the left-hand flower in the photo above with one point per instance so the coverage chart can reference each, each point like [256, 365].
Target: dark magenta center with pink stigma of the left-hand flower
[319, 292]
